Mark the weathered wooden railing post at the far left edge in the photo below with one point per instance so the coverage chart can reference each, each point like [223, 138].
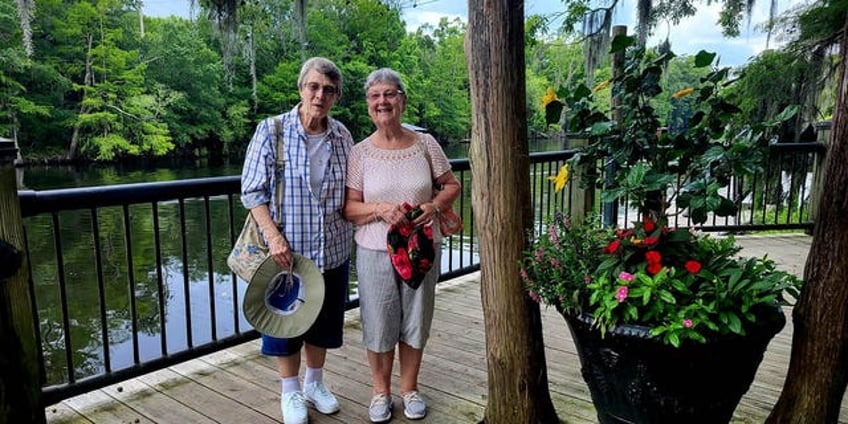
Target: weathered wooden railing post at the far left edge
[20, 387]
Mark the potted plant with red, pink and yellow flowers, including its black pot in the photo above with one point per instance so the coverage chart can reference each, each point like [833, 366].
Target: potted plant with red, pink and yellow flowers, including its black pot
[660, 316]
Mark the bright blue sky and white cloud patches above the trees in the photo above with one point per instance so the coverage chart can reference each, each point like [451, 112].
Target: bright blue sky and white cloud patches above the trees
[696, 33]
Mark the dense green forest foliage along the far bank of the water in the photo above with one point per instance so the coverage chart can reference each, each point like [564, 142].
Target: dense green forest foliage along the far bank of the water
[105, 82]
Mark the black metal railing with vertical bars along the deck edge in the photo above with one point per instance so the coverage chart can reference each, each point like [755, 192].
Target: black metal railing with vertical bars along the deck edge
[128, 279]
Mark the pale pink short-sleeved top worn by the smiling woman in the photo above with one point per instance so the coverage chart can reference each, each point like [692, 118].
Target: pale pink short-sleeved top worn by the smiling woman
[393, 176]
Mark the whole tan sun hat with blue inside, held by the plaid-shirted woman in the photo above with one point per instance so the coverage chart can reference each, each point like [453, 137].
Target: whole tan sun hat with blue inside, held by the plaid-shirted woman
[283, 307]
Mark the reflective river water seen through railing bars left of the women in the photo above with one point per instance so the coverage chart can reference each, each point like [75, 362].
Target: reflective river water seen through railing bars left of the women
[168, 297]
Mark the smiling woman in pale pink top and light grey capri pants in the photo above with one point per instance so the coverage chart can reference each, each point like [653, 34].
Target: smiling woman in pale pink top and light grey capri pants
[391, 169]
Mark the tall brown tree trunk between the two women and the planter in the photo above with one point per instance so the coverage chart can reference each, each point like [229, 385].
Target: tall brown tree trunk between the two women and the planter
[517, 374]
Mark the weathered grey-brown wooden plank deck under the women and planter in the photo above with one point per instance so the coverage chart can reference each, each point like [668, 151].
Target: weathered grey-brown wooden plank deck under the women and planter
[240, 386]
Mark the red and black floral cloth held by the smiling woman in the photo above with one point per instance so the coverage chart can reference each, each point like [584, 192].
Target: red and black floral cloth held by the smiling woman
[411, 248]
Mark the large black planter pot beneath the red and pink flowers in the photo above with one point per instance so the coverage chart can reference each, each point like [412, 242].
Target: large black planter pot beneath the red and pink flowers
[636, 378]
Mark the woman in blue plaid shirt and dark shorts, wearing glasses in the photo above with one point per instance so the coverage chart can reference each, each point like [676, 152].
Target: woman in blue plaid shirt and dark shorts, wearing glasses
[316, 149]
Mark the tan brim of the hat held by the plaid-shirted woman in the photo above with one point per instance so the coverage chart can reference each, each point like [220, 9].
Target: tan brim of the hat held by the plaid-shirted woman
[278, 325]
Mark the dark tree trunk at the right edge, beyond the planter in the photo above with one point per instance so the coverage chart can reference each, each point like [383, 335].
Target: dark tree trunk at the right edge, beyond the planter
[818, 368]
